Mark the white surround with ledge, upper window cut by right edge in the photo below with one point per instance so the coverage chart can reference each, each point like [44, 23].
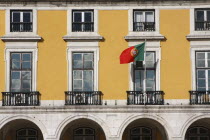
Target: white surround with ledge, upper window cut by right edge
[193, 33]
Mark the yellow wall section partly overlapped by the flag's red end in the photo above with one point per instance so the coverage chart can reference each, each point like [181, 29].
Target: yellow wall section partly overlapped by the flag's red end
[113, 76]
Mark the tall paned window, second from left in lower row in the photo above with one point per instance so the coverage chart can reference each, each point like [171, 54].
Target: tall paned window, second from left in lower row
[83, 71]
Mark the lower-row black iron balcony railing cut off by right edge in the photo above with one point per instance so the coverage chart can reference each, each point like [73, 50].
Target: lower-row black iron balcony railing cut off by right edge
[199, 97]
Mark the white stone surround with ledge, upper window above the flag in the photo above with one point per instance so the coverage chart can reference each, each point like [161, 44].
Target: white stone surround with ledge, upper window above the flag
[155, 35]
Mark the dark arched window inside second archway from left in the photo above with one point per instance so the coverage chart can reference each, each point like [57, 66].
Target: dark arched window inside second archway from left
[84, 134]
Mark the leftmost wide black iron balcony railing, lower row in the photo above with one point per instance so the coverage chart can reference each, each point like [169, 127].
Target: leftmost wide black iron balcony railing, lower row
[21, 98]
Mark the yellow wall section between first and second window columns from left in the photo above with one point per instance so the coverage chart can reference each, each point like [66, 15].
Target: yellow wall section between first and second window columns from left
[52, 62]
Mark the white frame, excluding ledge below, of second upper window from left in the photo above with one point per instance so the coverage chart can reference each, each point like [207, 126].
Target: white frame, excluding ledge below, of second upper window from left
[70, 21]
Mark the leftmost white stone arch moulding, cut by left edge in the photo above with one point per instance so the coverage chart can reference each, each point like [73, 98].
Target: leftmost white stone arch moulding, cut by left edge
[39, 124]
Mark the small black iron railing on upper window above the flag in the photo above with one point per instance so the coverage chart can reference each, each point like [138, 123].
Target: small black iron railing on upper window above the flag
[144, 26]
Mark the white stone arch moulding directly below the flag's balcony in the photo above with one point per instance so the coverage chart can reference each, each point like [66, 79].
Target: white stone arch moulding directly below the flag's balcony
[167, 129]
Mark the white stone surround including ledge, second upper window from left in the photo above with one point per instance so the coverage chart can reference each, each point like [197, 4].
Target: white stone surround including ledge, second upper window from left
[82, 35]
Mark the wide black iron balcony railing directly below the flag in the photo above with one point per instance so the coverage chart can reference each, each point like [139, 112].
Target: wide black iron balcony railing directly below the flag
[150, 98]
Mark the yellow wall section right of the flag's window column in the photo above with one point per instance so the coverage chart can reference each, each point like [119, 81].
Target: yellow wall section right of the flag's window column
[175, 62]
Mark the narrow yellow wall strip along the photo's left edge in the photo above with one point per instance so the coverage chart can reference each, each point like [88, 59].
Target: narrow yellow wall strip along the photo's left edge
[2, 47]
